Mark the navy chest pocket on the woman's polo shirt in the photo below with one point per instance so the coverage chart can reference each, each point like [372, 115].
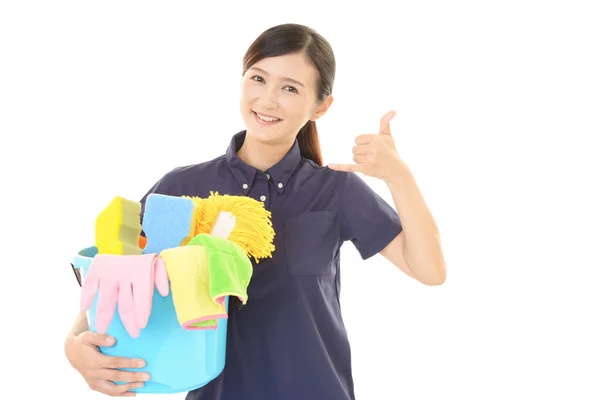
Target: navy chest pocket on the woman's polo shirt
[311, 242]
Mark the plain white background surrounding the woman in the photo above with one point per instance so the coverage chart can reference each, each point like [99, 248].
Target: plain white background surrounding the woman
[498, 118]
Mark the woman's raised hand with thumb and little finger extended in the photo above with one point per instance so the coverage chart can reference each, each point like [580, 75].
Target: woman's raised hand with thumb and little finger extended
[375, 154]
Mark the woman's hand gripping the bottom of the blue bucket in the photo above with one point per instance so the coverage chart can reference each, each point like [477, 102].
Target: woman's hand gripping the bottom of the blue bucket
[99, 370]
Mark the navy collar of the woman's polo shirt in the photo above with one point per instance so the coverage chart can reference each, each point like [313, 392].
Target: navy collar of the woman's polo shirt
[280, 173]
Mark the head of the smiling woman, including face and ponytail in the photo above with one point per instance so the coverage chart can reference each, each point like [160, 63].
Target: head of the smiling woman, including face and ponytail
[287, 85]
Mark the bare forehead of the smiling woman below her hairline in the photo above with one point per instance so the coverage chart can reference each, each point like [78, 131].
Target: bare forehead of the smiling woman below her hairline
[290, 66]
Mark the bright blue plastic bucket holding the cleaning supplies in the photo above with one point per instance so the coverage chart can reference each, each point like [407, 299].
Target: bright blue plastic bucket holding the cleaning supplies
[177, 360]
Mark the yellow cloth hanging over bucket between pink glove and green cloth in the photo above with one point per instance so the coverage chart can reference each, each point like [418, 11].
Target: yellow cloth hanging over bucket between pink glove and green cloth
[187, 269]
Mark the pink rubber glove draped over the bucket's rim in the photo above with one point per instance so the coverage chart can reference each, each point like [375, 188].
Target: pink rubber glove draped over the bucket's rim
[127, 281]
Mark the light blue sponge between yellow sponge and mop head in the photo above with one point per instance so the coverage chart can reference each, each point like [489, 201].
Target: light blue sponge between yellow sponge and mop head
[169, 221]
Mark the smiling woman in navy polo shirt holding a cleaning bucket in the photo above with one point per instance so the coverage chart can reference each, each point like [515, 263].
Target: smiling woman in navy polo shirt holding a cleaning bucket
[289, 341]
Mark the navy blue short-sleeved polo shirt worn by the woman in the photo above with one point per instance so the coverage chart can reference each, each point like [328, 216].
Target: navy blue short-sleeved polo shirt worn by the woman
[289, 341]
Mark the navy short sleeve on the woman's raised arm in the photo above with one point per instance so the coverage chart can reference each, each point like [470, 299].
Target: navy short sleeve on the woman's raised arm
[366, 219]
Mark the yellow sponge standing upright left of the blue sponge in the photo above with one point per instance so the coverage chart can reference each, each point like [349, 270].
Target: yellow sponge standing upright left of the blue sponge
[118, 227]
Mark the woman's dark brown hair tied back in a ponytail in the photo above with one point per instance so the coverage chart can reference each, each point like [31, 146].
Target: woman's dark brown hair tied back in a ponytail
[294, 38]
